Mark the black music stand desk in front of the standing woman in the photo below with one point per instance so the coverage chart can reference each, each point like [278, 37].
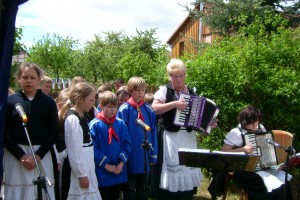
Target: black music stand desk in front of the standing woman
[217, 160]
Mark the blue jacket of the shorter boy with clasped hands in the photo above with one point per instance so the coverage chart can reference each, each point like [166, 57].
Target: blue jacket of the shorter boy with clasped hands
[112, 153]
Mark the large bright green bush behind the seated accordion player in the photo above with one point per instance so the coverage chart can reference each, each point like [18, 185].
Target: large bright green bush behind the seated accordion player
[254, 67]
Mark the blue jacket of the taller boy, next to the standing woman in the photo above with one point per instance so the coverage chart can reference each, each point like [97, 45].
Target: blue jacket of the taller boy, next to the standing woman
[129, 114]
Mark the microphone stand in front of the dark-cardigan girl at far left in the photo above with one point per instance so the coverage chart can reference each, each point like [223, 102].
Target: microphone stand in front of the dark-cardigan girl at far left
[41, 180]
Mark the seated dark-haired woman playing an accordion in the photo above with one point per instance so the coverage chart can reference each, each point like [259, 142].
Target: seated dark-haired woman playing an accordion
[263, 184]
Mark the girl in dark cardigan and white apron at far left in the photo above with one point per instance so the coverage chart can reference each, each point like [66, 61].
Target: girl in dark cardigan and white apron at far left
[42, 127]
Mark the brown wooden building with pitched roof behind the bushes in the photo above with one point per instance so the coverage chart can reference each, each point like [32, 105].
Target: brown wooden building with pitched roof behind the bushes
[188, 34]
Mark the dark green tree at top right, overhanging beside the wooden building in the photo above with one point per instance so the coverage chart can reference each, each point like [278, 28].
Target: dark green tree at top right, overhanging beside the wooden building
[221, 16]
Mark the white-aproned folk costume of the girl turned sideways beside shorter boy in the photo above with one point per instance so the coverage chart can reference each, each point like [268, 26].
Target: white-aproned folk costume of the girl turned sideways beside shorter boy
[79, 161]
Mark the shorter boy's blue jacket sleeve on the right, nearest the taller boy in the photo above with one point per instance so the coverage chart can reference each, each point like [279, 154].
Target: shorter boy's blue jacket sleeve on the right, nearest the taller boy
[126, 145]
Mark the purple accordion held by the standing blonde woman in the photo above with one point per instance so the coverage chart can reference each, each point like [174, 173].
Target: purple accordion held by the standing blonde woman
[199, 114]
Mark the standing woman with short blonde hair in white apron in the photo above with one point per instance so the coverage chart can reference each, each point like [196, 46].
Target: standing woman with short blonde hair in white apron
[176, 181]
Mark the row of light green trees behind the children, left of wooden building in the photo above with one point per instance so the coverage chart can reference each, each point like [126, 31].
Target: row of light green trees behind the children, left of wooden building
[103, 59]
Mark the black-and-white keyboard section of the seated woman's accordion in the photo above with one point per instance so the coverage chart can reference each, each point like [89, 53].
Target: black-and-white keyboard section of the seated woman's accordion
[261, 148]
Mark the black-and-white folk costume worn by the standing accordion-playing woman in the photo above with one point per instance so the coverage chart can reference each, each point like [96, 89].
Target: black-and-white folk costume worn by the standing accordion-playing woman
[174, 179]
